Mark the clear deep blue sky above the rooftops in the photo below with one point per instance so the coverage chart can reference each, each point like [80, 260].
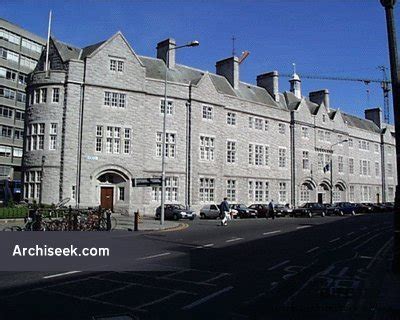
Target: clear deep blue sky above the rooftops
[328, 38]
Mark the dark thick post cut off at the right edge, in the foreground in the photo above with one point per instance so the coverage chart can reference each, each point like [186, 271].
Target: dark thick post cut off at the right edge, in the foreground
[395, 78]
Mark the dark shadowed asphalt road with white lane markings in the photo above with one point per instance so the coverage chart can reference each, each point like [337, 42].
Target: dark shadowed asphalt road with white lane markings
[287, 268]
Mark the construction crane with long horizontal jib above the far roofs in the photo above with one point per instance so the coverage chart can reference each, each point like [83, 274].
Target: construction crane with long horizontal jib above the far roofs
[385, 85]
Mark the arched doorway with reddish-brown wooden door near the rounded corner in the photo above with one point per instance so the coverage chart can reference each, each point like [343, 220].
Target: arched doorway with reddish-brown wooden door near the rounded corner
[113, 189]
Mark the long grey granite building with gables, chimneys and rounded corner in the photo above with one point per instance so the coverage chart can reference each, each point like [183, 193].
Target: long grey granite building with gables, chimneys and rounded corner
[96, 120]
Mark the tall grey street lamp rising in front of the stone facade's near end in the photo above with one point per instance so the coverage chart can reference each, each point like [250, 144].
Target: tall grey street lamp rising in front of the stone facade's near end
[190, 44]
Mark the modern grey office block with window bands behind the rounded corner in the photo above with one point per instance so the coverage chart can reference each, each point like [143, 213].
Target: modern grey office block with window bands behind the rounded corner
[19, 52]
